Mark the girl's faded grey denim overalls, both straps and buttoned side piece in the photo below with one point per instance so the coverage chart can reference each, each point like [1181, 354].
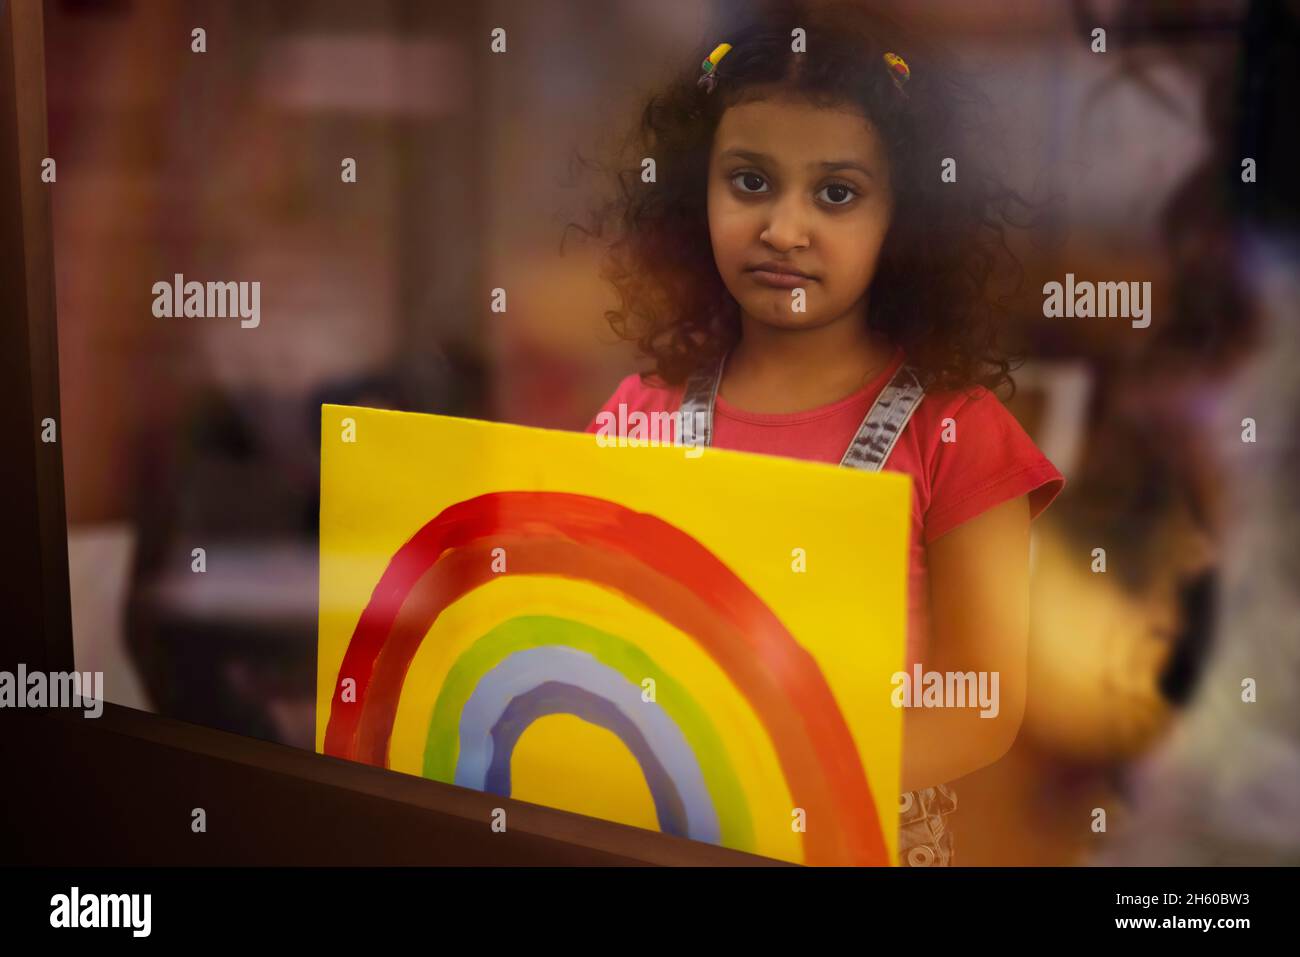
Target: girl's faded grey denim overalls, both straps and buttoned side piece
[924, 838]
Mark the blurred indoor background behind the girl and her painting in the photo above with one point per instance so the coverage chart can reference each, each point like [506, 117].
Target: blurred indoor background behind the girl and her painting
[198, 434]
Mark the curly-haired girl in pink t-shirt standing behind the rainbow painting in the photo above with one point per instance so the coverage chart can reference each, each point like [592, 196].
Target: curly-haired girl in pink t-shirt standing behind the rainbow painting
[811, 272]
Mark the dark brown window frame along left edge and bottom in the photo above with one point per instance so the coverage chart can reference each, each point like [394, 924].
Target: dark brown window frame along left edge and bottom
[122, 789]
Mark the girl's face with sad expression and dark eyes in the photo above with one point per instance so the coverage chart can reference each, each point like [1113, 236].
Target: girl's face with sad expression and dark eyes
[804, 189]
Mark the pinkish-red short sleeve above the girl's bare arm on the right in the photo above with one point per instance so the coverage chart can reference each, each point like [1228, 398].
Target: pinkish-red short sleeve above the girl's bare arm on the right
[991, 461]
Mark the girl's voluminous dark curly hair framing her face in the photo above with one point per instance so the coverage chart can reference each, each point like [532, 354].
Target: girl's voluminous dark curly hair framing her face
[946, 250]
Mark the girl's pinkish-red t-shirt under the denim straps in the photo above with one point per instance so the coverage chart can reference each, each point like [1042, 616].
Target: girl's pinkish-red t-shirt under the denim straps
[952, 482]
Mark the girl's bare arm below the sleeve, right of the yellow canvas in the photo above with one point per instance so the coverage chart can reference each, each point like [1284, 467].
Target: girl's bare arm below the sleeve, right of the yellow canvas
[980, 599]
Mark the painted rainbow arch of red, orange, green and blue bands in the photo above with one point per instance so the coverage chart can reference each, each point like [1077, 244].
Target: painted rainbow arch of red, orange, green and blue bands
[532, 666]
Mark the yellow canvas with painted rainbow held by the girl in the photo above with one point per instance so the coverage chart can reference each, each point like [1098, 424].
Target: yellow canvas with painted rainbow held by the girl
[697, 644]
